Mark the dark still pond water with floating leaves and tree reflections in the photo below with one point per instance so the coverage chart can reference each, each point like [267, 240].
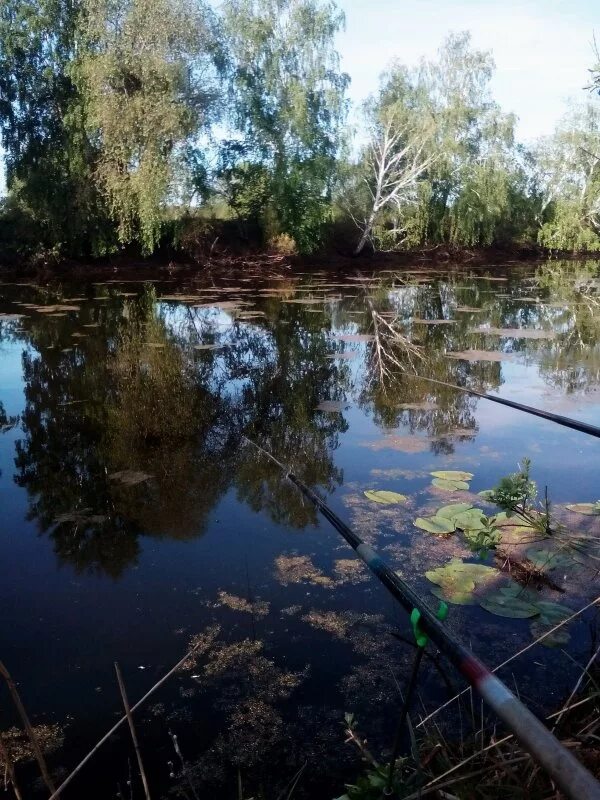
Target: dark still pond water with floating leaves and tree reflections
[133, 518]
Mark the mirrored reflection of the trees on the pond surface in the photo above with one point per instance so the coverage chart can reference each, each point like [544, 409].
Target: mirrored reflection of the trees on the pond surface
[135, 401]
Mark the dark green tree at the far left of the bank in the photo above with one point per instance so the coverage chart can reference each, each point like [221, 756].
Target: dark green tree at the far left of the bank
[47, 154]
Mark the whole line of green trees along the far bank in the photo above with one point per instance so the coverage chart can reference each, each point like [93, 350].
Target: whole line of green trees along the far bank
[147, 124]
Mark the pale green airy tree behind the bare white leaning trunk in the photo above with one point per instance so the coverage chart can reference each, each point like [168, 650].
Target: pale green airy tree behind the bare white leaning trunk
[466, 168]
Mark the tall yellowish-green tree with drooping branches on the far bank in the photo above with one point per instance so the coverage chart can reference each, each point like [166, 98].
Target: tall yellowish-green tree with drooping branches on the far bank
[147, 72]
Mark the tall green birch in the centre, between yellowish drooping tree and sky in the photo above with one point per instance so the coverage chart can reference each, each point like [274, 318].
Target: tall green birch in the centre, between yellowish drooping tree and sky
[288, 106]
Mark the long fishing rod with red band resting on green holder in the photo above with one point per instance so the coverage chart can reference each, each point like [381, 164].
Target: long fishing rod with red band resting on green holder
[571, 776]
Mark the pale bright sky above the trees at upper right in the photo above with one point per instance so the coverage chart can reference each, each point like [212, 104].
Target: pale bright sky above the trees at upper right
[542, 48]
